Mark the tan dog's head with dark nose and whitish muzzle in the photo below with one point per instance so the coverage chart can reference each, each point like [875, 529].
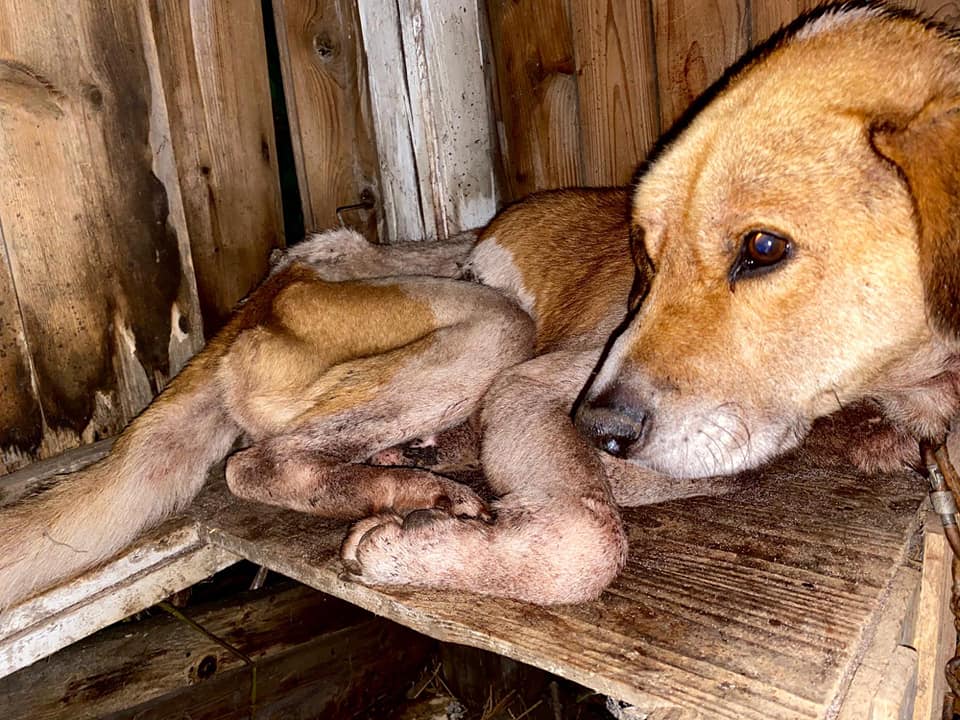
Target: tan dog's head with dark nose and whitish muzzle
[803, 228]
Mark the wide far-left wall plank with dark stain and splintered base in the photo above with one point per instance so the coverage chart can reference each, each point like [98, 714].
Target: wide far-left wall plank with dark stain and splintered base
[99, 275]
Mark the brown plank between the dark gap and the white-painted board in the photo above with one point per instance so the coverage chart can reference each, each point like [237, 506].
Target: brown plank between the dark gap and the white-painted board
[324, 72]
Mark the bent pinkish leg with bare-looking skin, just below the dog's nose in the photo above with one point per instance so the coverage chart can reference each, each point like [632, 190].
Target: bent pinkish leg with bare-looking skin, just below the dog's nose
[557, 536]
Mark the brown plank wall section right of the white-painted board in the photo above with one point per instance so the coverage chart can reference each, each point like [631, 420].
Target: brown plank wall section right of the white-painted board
[585, 87]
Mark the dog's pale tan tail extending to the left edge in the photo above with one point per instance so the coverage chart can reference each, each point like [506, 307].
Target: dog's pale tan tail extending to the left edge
[156, 467]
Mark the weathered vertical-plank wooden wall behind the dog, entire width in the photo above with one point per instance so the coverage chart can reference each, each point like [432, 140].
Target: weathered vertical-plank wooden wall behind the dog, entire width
[138, 166]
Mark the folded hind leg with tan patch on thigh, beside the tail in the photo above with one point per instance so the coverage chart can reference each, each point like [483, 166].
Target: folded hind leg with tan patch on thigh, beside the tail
[311, 436]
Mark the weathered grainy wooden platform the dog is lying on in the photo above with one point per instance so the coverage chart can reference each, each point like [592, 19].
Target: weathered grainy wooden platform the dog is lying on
[760, 604]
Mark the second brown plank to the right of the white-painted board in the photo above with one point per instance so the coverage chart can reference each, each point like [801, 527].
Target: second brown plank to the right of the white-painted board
[617, 83]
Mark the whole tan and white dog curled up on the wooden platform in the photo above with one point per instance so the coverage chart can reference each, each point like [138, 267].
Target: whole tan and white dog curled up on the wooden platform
[790, 248]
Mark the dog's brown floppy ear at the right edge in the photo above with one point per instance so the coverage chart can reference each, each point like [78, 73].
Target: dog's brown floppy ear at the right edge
[926, 148]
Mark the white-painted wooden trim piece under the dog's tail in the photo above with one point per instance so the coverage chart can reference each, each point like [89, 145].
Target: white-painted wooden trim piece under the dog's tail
[164, 561]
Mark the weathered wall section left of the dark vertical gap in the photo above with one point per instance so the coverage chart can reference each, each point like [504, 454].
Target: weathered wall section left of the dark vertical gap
[138, 203]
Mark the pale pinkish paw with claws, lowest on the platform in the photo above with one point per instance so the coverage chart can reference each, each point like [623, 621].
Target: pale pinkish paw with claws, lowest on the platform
[416, 550]
